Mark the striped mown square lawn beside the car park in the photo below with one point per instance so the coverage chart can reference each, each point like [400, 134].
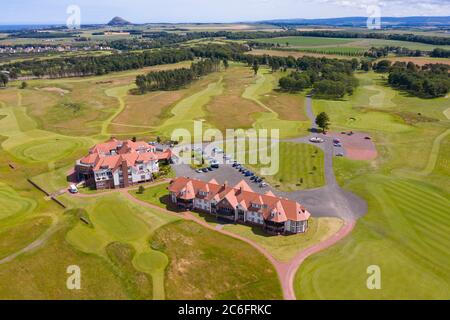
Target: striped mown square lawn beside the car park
[301, 166]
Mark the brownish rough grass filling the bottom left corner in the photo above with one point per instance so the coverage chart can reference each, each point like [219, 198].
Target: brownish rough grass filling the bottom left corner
[42, 274]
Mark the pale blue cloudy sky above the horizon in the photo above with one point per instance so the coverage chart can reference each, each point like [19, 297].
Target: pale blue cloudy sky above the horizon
[152, 11]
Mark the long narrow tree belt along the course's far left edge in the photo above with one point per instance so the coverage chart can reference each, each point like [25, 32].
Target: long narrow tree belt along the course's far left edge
[96, 65]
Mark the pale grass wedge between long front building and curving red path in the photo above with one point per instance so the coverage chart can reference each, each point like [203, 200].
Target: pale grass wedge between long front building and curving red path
[284, 248]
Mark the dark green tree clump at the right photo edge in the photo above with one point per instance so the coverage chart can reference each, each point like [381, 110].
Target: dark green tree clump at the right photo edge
[430, 81]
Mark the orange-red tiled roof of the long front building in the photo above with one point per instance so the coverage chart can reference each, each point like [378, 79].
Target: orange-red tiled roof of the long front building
[271, 207]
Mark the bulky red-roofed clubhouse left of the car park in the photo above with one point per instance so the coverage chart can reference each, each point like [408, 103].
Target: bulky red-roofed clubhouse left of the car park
[120, 164]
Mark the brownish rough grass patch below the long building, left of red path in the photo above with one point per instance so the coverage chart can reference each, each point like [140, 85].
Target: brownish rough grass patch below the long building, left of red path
[209, 265]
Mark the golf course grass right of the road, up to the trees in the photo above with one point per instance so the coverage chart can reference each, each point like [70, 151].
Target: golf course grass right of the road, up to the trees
[406, 229]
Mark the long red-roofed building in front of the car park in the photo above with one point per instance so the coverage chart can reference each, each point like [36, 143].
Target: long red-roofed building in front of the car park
[240, 204]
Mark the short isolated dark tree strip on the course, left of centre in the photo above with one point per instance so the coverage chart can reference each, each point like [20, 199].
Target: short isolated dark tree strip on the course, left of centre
[175, 79]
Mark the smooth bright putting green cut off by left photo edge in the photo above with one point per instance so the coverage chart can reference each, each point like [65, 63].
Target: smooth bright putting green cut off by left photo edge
[12, 204]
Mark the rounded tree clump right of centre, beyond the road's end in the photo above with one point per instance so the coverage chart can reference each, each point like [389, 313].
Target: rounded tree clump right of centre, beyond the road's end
[330, 78]
